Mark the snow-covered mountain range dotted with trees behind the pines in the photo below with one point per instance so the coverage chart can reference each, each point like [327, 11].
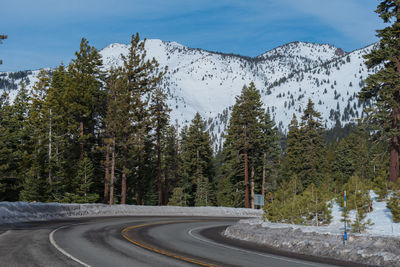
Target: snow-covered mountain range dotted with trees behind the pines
[208, 82]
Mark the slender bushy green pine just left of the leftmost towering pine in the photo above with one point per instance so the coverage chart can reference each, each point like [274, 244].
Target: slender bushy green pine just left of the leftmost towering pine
[55, 131]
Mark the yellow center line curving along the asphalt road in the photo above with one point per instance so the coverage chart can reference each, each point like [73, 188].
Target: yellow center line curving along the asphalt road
[159, 251]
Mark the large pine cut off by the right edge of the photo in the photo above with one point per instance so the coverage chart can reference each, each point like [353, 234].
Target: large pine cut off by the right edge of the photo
[384, 86]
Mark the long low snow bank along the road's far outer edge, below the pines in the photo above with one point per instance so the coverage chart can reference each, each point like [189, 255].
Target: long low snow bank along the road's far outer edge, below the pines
[13, 212]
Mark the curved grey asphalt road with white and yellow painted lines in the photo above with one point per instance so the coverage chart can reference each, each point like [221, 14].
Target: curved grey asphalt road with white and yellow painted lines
[132, 241]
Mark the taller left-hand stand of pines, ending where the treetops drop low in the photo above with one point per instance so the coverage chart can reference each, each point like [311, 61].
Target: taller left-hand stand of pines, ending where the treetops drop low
[85, 135]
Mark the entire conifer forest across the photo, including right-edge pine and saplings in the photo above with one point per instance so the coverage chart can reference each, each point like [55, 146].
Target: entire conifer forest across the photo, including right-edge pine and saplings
[86, 135]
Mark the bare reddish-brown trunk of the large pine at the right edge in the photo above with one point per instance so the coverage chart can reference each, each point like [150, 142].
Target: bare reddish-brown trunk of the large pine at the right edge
[394, 149]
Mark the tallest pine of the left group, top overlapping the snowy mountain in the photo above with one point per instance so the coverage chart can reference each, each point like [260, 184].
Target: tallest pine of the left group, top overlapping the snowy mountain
[142, 78]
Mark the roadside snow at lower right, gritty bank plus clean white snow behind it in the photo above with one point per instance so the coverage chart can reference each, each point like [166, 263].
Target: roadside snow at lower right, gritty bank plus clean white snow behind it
[379, 245]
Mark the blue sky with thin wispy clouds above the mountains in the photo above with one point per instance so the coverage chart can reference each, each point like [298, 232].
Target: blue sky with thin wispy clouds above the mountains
[44, 33]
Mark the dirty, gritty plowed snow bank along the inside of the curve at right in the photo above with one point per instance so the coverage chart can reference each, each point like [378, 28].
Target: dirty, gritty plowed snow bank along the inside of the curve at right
[373, 250]
